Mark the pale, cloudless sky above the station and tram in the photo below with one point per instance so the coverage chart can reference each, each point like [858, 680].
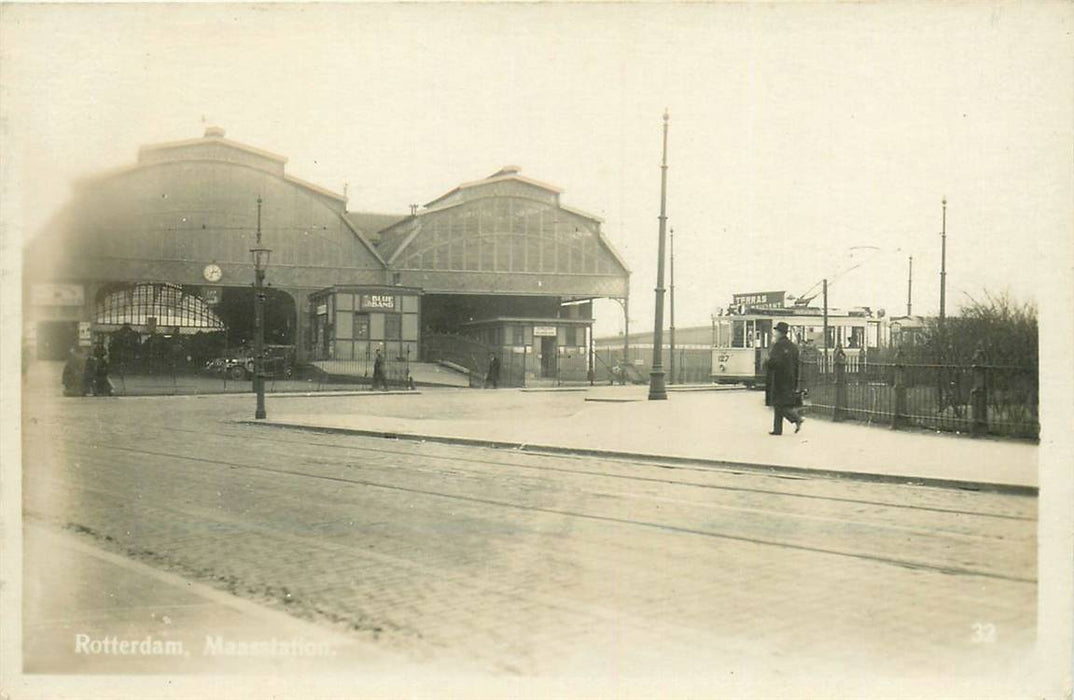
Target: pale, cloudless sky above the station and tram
[806, 141]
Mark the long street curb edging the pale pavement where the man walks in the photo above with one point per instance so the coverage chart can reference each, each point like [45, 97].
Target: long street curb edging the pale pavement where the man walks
[1013, 490]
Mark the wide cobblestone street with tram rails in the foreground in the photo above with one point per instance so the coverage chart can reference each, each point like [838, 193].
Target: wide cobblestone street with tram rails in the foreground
[527, 564]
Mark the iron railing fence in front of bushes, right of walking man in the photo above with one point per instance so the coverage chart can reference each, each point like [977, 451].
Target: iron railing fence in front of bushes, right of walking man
[978, 400]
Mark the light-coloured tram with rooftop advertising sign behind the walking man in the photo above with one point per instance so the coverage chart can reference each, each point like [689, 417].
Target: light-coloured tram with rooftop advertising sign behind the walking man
[741, 342]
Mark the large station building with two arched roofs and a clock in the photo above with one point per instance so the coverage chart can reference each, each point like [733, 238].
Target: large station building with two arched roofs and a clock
[163, 249]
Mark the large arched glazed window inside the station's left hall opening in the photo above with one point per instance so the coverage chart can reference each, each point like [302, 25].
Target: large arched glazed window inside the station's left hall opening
[161, 305]
